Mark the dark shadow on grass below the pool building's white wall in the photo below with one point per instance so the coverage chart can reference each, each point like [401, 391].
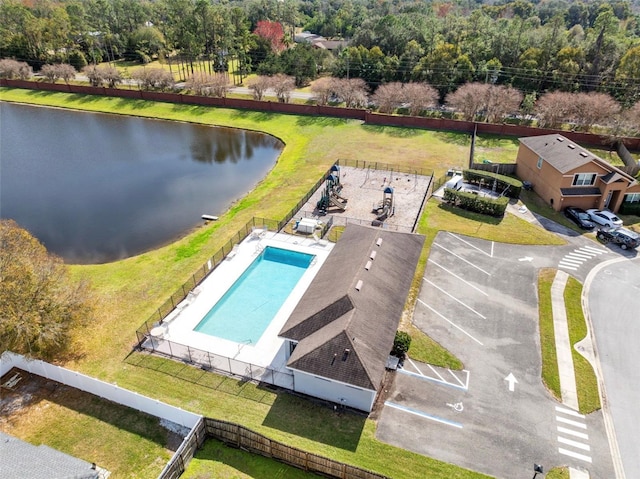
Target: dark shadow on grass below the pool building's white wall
[316, 421]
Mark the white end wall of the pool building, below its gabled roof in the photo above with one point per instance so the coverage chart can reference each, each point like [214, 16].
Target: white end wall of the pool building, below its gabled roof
[337, 392]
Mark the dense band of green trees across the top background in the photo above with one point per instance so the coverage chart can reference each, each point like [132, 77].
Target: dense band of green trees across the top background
[568, 46]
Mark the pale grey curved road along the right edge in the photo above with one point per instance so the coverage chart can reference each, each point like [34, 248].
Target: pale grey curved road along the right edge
[614, 304]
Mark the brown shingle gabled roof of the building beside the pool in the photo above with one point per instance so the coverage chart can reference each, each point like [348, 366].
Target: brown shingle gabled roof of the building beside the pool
[344, 333]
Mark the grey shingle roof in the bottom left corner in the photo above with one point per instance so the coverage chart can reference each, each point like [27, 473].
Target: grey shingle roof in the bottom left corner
[21, 460]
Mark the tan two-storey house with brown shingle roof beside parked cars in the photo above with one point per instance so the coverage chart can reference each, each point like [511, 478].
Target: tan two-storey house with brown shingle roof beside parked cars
[565, 174]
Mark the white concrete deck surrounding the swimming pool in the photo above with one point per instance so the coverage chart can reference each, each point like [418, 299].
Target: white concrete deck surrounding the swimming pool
[269, 351]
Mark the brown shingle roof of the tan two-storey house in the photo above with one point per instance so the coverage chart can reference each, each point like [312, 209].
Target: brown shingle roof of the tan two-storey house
[565, 156]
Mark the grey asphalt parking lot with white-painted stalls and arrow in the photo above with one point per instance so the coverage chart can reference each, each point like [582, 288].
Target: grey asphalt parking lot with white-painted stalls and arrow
[479, 300]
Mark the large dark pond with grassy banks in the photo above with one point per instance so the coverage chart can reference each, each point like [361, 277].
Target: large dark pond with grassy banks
[95, 187]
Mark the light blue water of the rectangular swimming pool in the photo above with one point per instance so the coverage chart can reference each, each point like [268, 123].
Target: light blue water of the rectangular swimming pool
[247, 308]
